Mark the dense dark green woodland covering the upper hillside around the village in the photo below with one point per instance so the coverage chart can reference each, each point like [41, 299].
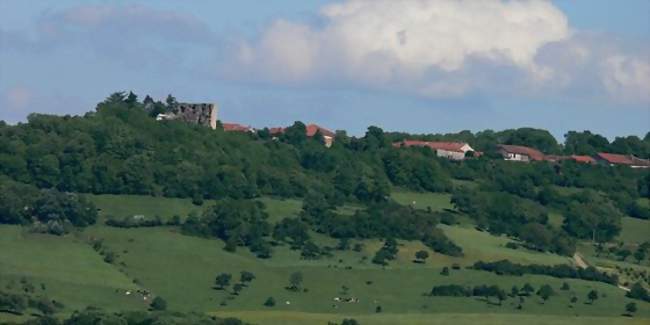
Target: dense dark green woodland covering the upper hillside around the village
[121, 149]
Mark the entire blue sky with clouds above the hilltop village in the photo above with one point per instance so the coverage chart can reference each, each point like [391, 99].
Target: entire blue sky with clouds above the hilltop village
[410, 65]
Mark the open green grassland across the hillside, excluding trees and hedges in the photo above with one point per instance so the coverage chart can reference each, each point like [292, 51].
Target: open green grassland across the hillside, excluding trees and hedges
[182, 270]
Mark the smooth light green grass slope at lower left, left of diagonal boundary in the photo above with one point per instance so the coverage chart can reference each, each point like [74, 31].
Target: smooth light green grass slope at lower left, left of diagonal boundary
[70, 269]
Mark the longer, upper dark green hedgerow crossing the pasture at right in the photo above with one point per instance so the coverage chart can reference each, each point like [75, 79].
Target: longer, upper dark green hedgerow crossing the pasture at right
[506, 267]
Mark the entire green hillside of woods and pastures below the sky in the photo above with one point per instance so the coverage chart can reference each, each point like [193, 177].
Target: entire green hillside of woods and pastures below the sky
[116, 185]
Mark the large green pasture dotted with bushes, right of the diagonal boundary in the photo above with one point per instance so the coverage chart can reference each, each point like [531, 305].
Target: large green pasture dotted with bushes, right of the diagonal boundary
[182, 269]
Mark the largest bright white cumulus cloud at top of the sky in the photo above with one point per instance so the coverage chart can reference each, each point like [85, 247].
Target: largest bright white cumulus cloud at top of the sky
[387, 42]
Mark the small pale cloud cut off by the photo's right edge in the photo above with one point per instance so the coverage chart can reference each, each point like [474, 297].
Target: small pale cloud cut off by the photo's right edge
[627, 78]
